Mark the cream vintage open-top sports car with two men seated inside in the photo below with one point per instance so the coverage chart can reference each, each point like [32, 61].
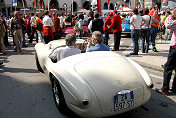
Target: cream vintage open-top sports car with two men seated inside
[94, 84]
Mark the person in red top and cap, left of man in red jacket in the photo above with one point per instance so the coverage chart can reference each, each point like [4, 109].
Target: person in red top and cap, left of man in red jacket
[106, 30]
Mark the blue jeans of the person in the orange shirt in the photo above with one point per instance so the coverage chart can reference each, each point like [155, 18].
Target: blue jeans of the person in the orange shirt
[153, 36]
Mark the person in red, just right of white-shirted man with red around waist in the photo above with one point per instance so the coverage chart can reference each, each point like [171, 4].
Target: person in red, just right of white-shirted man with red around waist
[57, 26]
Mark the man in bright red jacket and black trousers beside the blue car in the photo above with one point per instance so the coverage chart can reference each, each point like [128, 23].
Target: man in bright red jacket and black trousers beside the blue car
[117, 30]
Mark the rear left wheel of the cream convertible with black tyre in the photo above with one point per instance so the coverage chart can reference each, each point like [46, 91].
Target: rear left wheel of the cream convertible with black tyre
[58, 95]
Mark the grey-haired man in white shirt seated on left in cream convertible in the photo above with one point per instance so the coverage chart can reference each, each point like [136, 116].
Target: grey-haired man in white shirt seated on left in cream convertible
[62, 52]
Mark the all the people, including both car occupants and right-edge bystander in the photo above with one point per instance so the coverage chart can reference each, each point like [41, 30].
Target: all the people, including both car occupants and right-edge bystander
[145, 25]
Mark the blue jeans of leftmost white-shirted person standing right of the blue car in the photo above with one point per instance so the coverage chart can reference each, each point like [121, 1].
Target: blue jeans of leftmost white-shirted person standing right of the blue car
[135, 34]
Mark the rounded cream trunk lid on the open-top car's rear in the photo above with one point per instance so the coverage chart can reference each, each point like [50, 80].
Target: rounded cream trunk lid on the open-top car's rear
[107, 75]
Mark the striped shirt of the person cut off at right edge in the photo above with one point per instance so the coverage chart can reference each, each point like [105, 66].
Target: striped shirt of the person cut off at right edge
[170, 23]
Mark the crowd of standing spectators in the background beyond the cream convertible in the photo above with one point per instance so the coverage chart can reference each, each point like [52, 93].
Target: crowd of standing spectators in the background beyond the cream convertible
[145, 24]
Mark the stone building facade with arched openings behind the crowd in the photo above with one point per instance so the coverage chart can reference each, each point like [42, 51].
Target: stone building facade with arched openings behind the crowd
[7, 8]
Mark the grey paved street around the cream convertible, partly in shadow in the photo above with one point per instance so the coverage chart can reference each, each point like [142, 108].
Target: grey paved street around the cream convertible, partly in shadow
[26, 93]
